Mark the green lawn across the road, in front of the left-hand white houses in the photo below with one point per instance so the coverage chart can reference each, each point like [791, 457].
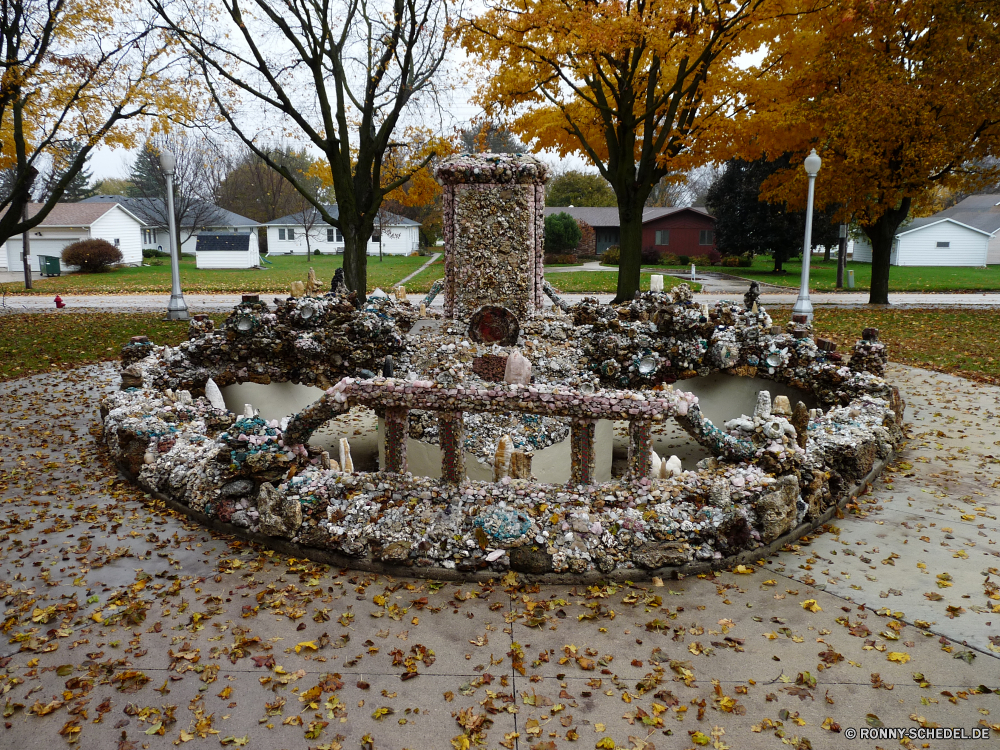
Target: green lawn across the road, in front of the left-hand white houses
[276, 279]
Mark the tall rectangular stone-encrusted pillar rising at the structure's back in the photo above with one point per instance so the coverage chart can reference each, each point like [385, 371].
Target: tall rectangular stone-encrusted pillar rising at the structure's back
[493, 209]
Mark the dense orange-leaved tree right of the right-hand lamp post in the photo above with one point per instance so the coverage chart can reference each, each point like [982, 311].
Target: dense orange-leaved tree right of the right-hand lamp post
[899, 97]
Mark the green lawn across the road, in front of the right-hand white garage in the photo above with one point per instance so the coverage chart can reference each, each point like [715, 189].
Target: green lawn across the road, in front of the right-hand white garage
[823, 276]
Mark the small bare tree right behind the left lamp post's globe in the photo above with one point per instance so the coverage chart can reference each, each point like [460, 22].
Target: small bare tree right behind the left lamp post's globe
[196, 178]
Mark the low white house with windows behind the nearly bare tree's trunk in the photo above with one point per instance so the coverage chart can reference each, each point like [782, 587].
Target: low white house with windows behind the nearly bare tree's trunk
[288, 235]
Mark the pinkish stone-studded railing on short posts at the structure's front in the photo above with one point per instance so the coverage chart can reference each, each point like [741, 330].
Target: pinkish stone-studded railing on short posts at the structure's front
[397, 397]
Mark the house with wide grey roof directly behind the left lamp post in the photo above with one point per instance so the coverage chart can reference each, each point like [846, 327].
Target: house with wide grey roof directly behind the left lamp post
[207, 218]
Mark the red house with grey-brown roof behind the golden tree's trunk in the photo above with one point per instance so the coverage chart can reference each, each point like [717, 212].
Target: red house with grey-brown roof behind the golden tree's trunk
[672, 230]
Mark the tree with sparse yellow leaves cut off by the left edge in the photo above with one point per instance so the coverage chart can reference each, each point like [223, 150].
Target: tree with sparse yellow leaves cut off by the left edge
[76, 74]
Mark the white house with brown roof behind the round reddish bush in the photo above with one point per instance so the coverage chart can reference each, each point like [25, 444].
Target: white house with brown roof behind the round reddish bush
[69, 222]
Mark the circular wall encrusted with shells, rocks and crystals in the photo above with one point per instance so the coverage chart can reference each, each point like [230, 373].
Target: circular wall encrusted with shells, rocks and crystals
[773, 475]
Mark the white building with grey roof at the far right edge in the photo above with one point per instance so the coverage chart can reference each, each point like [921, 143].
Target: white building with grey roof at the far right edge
[967, 234]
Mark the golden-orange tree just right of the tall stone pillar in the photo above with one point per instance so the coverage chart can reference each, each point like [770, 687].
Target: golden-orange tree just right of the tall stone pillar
[634, 86]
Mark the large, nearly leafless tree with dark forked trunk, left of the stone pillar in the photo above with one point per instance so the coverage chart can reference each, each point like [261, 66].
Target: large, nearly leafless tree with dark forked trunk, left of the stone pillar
[341, 77]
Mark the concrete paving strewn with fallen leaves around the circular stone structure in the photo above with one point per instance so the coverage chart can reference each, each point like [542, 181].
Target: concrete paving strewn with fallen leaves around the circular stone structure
[108, 598]
